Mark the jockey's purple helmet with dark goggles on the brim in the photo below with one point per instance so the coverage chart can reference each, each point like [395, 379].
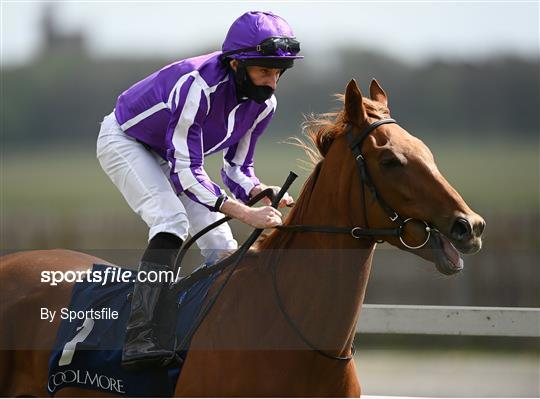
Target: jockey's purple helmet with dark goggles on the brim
[262, 36]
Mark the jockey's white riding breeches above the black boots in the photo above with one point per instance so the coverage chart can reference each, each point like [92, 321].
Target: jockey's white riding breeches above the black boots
[143, 178]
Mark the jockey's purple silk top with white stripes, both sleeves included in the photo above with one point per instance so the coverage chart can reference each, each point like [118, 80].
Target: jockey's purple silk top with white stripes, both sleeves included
[188, 110]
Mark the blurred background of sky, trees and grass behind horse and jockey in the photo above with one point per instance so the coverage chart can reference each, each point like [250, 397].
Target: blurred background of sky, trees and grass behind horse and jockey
[463, 77]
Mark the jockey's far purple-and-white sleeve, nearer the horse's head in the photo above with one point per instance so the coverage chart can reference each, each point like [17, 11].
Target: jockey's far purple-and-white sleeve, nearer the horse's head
[238, 172]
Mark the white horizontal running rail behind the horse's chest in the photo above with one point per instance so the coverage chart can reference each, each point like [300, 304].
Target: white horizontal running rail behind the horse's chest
[449, 320]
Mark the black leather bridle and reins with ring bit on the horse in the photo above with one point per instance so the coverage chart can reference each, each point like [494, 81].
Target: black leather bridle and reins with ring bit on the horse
[357, 232]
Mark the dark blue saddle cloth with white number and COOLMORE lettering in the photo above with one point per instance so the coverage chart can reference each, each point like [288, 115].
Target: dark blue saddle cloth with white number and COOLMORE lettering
[87, 352]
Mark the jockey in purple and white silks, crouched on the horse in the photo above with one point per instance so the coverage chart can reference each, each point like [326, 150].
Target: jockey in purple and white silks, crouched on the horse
[153, 146]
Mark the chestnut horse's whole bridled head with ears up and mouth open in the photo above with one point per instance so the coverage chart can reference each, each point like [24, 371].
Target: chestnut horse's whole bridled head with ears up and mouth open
[392, 182]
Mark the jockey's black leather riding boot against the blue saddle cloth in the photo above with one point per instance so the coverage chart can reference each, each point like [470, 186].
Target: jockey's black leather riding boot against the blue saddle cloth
[141, 346]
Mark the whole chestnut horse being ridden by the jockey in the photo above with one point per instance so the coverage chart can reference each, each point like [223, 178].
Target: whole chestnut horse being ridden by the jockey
[285, 322]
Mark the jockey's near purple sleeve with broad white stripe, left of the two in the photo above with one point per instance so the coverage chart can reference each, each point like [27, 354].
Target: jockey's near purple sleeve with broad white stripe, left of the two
[185, 146]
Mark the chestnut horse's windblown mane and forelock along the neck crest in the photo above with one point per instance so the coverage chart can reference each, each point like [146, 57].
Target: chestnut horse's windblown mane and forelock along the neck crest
[320, 131]
